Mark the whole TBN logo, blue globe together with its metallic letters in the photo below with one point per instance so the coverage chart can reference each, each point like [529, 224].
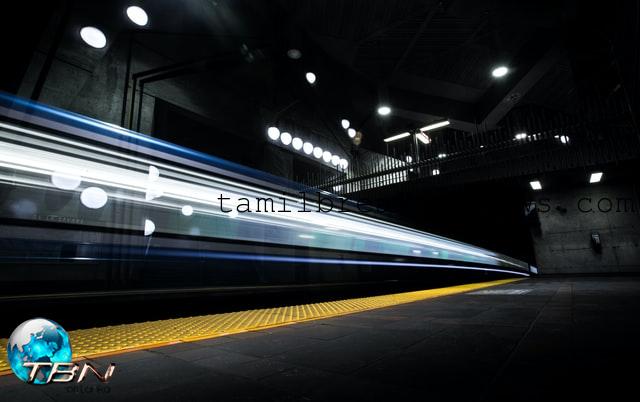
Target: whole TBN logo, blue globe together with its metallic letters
[39, 352]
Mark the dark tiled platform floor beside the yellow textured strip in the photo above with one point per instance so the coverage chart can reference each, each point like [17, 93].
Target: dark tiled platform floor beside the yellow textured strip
[538, 339]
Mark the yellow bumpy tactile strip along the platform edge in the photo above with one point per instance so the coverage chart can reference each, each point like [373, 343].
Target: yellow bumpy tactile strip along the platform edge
[88, 343]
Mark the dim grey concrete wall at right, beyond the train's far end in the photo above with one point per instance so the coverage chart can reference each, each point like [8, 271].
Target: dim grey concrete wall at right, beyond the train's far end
[562, 241]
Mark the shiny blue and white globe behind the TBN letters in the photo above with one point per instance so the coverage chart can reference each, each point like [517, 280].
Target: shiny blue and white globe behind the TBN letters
[34, 341]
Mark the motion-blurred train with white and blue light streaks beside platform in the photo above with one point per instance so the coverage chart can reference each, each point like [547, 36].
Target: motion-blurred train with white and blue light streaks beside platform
[88, 206]
